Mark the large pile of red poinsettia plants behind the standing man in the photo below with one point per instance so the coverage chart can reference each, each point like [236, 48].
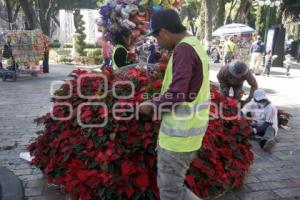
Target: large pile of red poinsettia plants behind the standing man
[118, 160]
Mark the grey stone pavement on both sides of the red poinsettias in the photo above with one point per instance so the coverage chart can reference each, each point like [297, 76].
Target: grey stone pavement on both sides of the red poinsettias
[274, 175]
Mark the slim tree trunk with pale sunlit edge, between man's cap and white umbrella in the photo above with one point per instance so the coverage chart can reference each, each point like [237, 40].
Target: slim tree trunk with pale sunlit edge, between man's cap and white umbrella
[208, 21]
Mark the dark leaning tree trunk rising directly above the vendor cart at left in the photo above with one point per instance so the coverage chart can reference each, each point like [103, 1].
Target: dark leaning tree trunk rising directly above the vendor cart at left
[32, 20]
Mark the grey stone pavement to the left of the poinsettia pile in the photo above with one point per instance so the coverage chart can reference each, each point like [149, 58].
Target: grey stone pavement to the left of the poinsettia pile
[20, 103]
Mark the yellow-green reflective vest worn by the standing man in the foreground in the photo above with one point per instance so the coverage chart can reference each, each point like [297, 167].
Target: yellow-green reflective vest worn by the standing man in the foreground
[182, 130]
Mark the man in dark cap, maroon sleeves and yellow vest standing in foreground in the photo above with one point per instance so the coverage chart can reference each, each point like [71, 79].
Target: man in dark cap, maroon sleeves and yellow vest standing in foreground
[186, 88]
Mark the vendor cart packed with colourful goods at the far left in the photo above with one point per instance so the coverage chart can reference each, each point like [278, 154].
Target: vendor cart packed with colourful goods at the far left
[22, 50]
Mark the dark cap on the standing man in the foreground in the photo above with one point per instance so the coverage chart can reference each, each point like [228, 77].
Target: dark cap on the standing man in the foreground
[165, 18]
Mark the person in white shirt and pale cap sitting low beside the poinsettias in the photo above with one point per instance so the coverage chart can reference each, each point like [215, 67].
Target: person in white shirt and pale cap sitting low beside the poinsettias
[264, 118]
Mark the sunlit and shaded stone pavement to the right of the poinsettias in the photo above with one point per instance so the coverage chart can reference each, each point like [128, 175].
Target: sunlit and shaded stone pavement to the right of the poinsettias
[275, 175]
